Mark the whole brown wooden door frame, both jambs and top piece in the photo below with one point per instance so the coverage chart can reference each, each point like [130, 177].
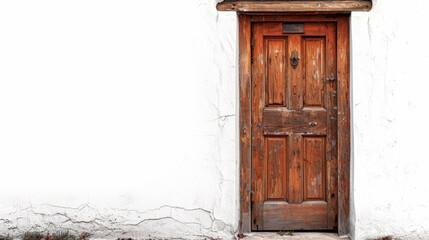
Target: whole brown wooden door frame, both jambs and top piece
[343, 104]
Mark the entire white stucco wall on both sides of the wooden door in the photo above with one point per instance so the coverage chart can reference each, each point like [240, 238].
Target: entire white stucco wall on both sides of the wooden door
[119, 118]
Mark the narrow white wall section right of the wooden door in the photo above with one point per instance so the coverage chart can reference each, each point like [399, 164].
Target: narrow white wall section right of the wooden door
[390, 112]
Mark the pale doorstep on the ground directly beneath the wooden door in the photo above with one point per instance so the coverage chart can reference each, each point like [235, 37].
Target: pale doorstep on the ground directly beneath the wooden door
[296, 236]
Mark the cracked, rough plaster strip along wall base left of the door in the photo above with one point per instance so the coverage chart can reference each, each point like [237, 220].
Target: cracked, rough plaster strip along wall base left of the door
[106, 223]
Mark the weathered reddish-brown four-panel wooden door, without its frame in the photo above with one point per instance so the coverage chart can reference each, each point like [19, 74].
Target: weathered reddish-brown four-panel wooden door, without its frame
[294, 127]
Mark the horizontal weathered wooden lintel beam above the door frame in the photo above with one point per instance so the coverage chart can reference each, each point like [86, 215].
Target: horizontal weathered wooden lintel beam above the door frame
[294, 6]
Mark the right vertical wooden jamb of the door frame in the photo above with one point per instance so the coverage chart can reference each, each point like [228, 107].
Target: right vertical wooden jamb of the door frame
[343, 73]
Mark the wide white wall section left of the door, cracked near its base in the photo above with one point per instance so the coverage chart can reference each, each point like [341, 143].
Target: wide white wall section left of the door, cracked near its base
[118, 118]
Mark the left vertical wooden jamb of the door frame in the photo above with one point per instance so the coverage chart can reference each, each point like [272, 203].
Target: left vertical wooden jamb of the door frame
[244, 36]
